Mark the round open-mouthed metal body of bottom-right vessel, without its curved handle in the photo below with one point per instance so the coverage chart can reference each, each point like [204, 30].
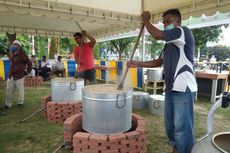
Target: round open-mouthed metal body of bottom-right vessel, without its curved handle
[218, 143]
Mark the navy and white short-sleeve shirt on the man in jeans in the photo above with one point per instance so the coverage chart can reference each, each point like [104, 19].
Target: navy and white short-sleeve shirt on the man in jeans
[177, 57]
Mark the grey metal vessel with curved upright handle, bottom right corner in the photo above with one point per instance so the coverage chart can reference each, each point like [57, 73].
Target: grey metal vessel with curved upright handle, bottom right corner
[214, 143]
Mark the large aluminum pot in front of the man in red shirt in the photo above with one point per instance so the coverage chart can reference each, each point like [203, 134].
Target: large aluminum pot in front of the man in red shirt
[66, 89]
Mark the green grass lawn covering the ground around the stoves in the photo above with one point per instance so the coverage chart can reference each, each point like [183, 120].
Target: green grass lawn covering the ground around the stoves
[37, 135]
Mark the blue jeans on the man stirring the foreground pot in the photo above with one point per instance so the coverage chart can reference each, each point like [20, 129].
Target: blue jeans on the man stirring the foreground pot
[179, 120]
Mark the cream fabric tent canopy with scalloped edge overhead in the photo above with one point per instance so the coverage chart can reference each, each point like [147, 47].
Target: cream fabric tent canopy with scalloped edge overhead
[99, 17]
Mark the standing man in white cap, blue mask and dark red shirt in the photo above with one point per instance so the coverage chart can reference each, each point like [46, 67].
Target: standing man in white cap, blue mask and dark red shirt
[20, 65]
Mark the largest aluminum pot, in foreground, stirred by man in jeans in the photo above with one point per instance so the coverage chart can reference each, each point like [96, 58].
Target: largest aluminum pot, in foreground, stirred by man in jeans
[106, 110]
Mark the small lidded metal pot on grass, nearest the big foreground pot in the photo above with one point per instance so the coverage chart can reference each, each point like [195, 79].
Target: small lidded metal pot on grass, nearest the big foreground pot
[140, 100]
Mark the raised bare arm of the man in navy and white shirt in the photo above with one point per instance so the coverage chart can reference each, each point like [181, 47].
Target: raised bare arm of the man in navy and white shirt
[154, 32]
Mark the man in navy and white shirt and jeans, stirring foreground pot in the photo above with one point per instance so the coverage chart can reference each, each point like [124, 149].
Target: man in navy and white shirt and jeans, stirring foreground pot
[180, 81]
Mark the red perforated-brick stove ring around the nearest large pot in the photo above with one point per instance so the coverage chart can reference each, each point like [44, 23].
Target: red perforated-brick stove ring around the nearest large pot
[132, 141]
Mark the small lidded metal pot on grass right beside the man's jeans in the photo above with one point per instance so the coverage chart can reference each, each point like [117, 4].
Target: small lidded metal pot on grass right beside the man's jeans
[157, 104]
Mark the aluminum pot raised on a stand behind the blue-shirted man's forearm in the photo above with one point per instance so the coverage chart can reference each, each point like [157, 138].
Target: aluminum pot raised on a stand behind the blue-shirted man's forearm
[155, 74]
